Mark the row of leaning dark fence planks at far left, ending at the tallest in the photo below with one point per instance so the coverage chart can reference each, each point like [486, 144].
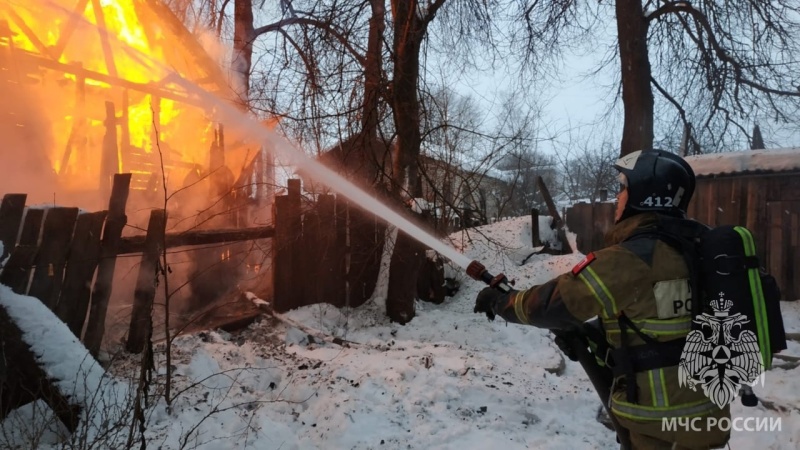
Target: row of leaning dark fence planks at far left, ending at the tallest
[58, 252]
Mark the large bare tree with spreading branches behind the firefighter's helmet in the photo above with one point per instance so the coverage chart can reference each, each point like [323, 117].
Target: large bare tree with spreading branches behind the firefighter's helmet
[707, 66]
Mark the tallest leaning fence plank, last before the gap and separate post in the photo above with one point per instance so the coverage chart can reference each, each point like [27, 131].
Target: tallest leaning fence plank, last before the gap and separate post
[101, 292]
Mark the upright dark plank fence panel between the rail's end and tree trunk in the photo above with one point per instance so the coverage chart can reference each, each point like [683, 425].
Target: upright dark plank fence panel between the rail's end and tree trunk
[326, 251]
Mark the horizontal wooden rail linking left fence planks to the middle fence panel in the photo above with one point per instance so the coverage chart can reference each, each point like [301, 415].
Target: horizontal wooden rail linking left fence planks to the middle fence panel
[136, 244]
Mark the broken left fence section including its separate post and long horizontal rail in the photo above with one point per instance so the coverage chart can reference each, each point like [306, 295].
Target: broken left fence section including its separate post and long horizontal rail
[66, 258]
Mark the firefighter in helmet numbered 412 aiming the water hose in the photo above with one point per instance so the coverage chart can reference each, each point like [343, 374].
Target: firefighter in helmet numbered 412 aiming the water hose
[640, 291]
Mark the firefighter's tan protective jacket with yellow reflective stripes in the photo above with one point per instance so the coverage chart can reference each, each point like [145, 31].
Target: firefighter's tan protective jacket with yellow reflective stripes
[647, 281]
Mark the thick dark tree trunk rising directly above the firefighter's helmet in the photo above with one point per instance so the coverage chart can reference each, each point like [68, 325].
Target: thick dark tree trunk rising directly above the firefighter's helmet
[637, 95]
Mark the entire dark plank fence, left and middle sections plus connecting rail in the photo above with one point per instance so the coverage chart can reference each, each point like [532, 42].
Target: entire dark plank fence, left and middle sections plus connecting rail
[325, 251]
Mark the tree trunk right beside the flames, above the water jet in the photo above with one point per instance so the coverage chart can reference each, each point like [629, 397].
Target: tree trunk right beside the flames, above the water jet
[243, 37]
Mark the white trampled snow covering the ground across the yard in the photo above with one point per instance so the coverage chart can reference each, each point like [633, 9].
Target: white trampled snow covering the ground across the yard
[449, 379]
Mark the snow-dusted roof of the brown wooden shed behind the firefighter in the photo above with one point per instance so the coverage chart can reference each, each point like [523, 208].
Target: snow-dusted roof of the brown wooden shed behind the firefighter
[749, 162]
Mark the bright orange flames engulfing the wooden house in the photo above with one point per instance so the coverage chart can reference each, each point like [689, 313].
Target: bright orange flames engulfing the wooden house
[75, 59]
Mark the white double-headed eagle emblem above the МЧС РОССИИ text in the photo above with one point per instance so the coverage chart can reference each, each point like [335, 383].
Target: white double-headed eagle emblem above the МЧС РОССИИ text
[721, 355]
